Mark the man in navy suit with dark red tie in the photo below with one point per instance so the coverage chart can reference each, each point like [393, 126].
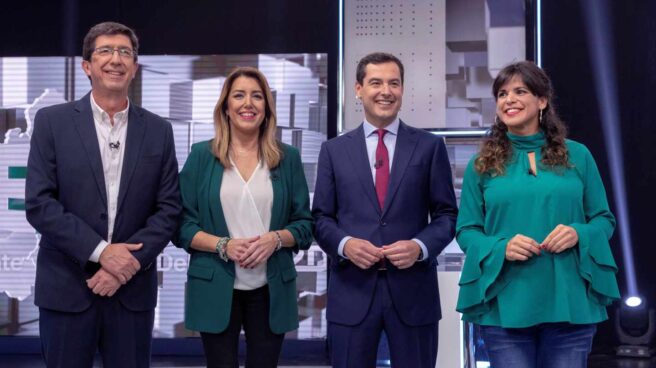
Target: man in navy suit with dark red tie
[384, 208]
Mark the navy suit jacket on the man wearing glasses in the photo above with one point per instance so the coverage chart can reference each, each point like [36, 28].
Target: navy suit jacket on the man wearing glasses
[66, 202]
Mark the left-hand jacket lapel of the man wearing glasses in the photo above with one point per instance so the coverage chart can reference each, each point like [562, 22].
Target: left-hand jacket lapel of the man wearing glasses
[84, 124]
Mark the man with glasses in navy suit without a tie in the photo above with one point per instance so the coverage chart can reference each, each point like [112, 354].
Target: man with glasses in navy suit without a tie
[102, 190]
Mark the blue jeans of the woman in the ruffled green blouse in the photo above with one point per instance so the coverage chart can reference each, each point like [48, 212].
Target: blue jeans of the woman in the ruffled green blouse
[547, 345]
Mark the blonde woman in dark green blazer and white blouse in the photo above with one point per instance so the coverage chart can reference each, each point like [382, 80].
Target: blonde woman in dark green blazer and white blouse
[246, 209]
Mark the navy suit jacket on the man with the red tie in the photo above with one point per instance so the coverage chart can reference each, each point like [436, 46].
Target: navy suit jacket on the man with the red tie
[420, 203]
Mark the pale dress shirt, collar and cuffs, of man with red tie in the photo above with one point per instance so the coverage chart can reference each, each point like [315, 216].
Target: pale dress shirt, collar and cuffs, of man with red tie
[371, 140]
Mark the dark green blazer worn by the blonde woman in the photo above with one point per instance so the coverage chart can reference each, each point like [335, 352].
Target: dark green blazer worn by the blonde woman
[210, 280]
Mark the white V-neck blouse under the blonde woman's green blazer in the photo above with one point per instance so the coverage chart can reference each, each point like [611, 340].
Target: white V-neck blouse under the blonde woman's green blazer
[247, 210]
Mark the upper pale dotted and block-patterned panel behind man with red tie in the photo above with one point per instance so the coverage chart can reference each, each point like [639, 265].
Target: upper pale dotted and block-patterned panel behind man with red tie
[451, 51]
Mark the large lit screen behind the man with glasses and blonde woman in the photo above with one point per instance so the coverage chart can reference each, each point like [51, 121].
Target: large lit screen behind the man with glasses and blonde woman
[184, 90]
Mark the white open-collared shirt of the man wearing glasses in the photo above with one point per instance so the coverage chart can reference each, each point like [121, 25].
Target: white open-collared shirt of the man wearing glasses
[111, 141]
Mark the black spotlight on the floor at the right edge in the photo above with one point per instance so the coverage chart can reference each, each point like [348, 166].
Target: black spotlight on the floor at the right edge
[634, 324]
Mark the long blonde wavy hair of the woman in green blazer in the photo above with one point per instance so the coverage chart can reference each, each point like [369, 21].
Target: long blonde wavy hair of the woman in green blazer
[269, 147]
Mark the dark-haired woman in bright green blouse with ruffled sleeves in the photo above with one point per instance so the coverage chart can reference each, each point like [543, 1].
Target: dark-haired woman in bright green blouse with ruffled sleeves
[534, 224]
